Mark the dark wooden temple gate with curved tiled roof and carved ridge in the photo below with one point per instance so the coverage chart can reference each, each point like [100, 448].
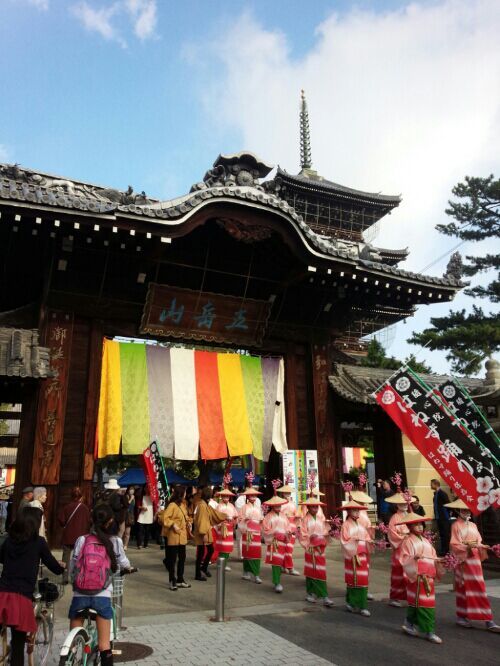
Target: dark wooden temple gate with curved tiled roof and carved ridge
[78, 261]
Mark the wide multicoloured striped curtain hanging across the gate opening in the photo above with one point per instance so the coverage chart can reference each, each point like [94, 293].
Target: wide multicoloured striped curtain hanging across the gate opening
[189, 402]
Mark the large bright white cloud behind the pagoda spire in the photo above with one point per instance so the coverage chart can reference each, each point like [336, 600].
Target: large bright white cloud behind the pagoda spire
[403, 101]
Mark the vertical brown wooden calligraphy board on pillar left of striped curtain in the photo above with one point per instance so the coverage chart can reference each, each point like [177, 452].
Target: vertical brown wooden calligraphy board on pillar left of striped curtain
[52, 401]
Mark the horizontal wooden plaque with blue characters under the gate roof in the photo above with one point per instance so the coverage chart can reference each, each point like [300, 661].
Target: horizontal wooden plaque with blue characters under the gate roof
[195, 315]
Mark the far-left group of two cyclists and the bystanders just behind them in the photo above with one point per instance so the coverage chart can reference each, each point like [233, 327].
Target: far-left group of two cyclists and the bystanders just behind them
[92, 553]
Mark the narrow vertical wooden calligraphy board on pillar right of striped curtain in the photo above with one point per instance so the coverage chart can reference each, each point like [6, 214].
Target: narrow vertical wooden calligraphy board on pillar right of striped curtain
[327, 431]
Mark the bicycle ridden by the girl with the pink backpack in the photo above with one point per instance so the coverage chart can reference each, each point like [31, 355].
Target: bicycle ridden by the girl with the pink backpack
[81, 645]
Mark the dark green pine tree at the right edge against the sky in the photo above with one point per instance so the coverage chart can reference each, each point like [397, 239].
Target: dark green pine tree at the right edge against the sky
[470, 337]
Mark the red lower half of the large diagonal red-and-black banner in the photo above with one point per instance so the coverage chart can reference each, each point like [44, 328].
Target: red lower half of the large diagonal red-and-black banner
[423, 437]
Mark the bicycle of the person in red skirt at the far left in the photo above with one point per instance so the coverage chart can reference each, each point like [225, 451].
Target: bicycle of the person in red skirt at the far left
[39, 643]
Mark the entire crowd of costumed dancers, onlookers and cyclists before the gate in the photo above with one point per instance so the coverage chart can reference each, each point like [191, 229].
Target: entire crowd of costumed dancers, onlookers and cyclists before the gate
[221, 522]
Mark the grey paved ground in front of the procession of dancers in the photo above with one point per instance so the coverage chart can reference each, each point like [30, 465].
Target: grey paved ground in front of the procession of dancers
[282, 629]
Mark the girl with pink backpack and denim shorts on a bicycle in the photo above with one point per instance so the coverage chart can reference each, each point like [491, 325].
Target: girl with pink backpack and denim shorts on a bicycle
[96, 557]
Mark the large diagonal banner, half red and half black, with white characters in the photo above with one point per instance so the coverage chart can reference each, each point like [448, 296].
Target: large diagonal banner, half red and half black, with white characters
[421, 416]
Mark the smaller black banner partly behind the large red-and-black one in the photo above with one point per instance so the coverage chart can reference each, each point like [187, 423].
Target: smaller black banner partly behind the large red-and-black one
[464, 408]
